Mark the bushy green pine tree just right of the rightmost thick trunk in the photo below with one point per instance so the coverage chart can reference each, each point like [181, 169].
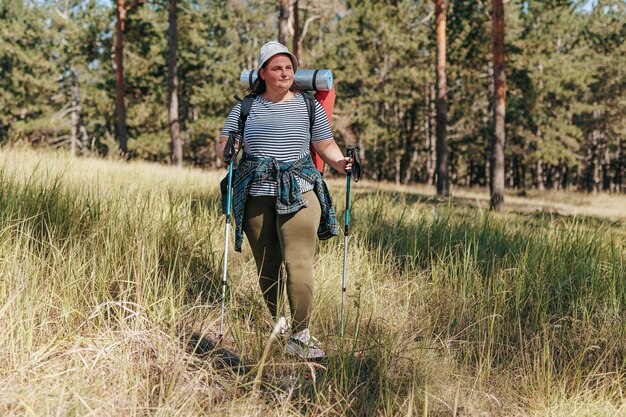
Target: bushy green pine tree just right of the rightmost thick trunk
[552, 74]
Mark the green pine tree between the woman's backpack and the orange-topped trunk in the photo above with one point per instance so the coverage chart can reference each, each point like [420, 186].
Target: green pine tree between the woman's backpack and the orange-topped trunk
[377, 58]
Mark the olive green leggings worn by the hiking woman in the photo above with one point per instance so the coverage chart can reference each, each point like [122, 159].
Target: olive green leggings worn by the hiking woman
[291, 239]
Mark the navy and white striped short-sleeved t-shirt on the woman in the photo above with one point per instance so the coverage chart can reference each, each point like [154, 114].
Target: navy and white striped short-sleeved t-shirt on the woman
[279, 130]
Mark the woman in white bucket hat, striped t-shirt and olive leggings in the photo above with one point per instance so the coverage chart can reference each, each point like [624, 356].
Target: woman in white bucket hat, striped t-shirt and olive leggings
[280, 201]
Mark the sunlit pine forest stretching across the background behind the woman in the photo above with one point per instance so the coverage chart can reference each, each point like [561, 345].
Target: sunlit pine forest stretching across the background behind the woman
[100, 77]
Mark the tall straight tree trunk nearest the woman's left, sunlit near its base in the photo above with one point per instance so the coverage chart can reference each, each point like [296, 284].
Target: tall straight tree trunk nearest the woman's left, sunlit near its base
[176, 146]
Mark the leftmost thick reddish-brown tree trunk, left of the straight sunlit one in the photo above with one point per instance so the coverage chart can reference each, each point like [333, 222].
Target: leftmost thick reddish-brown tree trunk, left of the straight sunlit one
[122, 131]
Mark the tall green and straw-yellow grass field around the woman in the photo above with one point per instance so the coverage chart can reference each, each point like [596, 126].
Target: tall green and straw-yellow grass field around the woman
[106, 268]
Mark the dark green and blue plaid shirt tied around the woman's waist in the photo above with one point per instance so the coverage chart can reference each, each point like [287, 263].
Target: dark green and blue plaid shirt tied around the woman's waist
[252, 170]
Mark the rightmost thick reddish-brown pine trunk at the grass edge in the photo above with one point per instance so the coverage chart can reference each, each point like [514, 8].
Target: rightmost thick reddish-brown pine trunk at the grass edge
[496, 174]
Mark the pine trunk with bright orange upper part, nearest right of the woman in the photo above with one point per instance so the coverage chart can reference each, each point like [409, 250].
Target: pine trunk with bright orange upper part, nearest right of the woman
[443, 187]
